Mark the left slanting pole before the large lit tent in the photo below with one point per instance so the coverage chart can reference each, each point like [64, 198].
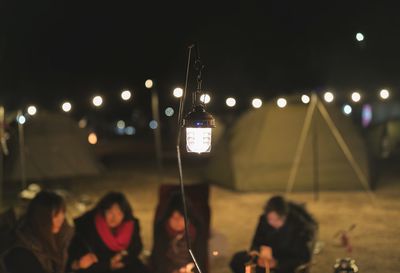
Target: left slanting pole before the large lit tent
[300, 147]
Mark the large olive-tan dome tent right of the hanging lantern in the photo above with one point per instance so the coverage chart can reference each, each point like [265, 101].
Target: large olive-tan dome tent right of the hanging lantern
[258, 151]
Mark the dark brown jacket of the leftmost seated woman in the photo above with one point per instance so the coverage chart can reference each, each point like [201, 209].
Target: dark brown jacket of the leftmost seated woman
[29, 255]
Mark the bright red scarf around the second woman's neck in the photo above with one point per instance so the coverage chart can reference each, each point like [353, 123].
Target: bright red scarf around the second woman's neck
[117, 241]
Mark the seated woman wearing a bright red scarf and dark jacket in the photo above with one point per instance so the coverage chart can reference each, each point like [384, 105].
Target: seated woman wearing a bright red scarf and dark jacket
[109, 237]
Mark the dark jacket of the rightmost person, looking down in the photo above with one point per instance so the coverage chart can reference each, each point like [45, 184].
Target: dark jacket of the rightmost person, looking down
[291, 244]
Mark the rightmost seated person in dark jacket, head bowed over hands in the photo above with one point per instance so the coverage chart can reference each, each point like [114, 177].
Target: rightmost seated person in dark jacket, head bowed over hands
[283, 239]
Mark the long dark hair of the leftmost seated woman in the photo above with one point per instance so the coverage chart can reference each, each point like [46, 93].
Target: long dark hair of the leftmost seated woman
[39, 217]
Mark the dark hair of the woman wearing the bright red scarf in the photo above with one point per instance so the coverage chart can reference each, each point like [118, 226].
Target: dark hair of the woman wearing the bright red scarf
[112, 198]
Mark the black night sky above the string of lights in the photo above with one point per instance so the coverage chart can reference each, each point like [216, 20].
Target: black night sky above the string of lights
[54, 50]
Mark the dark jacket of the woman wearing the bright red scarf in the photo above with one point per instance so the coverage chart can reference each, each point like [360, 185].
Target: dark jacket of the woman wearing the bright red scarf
[87, 240]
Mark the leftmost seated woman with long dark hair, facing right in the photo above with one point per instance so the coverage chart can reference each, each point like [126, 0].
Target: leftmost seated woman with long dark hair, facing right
[42, 237]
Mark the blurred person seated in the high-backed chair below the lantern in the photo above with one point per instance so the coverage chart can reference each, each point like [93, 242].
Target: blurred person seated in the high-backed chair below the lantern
[170, 253]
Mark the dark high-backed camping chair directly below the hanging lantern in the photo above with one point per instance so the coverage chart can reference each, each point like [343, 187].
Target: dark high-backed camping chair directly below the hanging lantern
[198, 196]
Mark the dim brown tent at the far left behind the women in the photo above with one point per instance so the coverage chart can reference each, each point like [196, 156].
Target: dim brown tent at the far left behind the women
[55, 147]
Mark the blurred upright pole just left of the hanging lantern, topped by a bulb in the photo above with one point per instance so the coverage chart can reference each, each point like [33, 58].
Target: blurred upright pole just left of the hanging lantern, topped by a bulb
[157, 132]
